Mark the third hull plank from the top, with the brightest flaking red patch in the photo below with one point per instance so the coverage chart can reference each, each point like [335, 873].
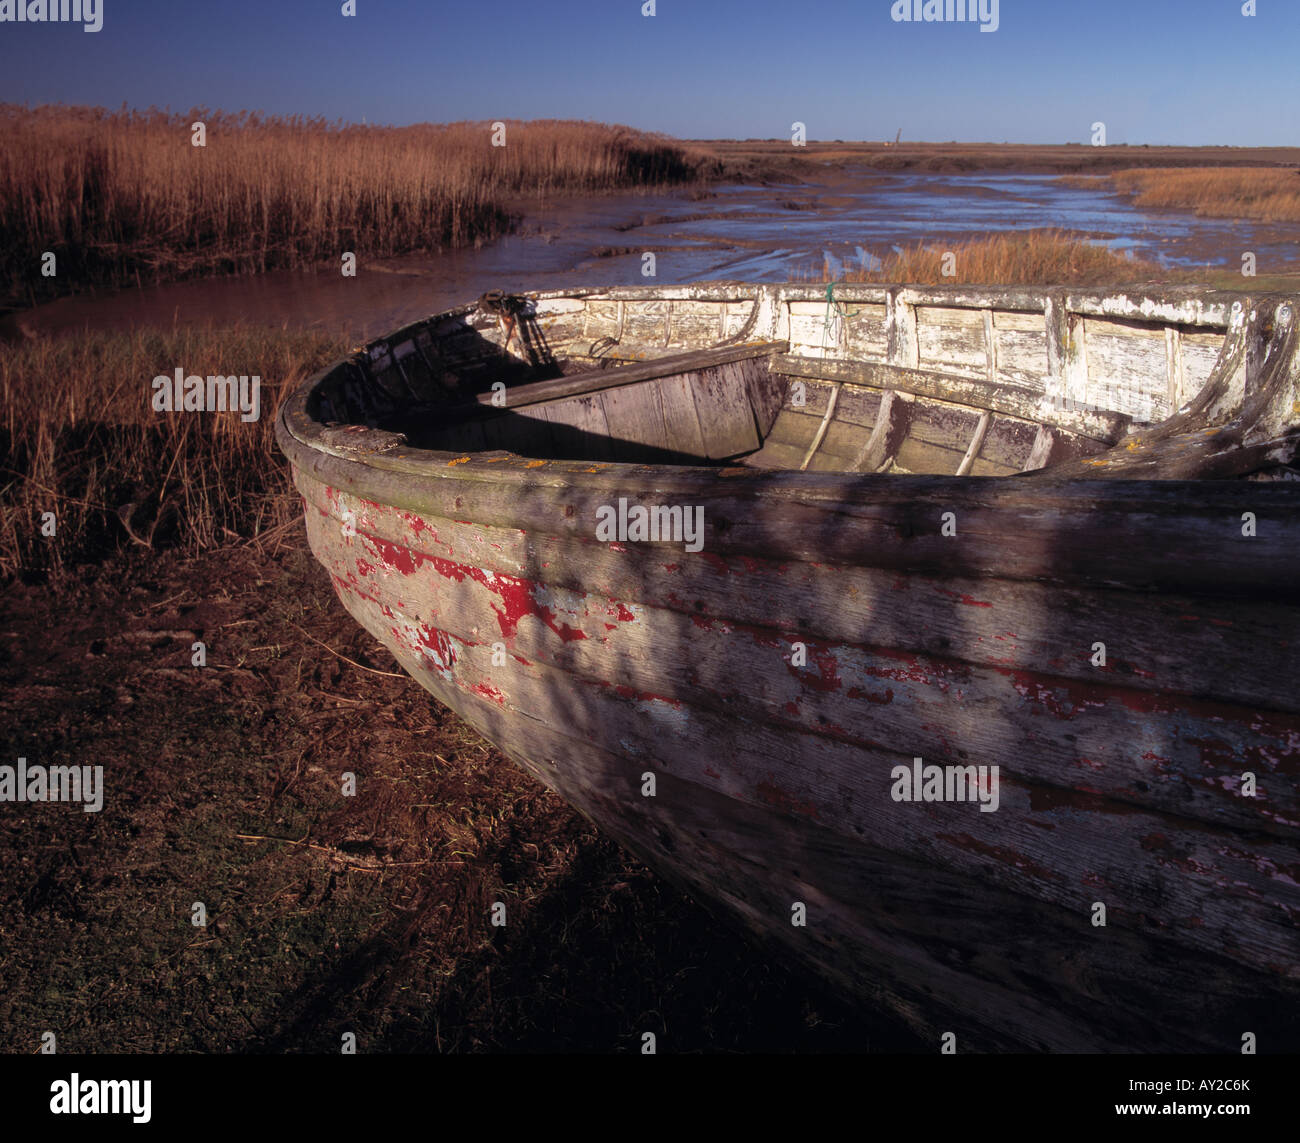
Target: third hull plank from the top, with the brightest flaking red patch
[1141, 746]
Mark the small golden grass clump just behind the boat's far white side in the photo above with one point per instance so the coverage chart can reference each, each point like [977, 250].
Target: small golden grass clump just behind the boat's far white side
[1032, 258]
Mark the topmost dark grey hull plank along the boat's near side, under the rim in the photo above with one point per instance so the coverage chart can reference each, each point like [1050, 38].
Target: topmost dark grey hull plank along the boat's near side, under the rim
[1143, 535]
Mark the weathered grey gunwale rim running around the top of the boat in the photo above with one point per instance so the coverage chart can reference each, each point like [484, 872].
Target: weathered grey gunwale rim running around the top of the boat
[414, 479]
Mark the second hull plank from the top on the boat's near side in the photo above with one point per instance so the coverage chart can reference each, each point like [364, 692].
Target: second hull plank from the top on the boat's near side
[1171, 646]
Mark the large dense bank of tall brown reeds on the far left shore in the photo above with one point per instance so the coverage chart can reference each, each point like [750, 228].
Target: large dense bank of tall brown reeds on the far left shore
[124, 197]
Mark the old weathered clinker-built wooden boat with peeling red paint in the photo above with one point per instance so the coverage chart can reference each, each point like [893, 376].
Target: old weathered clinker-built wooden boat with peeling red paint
[1052, 532]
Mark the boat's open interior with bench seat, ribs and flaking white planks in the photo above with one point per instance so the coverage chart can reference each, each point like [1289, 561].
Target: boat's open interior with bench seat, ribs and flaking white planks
[968, 382]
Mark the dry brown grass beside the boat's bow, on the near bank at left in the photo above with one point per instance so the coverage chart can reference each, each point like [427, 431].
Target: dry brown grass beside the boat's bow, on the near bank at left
[80, 439]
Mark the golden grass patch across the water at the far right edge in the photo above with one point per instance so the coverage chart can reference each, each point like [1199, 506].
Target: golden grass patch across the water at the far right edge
[1267, 193]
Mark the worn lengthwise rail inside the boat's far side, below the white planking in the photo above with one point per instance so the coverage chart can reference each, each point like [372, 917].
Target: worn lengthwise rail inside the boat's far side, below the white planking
[1102, 426]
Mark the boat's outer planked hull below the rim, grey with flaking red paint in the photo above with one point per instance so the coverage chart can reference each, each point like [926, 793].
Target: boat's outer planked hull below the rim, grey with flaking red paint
[774, 781]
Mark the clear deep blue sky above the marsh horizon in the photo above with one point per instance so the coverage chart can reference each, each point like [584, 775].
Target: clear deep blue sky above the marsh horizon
[1181, 72]
